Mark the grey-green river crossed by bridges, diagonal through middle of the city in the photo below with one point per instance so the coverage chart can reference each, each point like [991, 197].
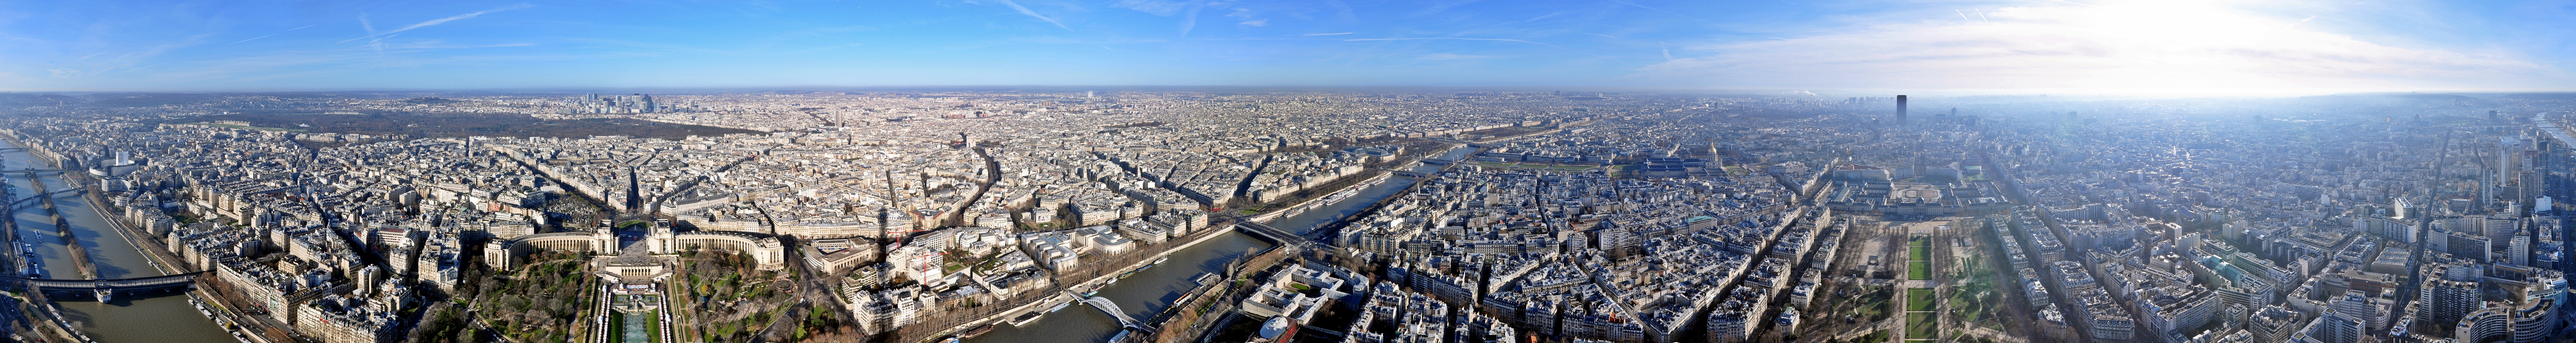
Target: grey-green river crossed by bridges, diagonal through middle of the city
[1153, 290]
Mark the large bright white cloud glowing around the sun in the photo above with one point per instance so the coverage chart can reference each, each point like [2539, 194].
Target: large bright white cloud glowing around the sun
[2111, 48]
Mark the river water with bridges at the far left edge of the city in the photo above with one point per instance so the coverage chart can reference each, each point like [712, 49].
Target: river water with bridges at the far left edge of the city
[128, 318]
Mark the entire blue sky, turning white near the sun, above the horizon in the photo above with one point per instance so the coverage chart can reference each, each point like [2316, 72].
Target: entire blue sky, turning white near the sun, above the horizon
[2111, 48]
